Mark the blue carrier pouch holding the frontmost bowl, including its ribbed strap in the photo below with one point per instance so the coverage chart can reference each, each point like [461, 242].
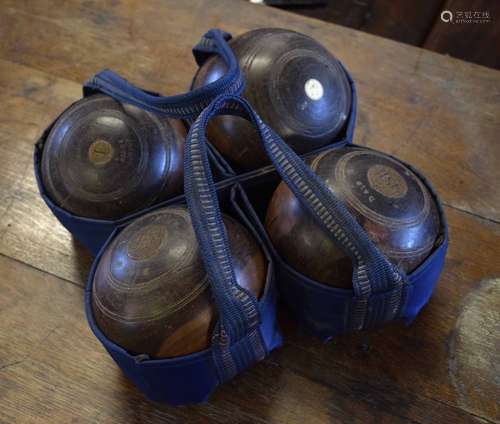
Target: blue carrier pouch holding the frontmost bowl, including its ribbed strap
[246, 330]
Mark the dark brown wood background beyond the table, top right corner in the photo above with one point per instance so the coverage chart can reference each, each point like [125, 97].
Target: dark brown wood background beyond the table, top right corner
[418, 23]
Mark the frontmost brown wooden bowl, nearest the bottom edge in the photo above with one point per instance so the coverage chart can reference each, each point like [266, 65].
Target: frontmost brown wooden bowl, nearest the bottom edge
[151, 294]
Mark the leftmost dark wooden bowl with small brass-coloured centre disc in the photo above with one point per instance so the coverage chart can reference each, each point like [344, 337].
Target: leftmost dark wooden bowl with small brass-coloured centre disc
[105, 159]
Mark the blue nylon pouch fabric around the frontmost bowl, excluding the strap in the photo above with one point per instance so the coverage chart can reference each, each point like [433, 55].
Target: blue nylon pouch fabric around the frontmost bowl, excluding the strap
[191, 378]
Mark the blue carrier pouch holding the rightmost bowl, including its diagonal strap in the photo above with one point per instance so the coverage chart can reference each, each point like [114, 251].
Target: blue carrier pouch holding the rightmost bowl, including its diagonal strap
[381, 292]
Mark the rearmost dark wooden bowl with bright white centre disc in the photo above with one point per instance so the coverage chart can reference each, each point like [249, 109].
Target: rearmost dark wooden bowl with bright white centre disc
[296, 86]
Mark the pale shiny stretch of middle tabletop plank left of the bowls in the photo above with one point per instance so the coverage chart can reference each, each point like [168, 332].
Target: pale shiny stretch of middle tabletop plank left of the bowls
[28, 231]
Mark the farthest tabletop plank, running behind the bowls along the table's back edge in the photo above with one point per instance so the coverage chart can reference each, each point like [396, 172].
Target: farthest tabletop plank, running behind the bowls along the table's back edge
[439, 113]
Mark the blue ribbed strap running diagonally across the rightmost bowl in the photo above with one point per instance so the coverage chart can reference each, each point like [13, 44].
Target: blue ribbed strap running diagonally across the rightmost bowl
[377, 283]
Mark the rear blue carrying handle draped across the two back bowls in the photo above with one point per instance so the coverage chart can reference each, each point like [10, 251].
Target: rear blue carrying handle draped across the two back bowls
[182, 106]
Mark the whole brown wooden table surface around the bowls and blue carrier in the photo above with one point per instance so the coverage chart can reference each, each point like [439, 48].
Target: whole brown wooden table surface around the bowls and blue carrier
[438, 113]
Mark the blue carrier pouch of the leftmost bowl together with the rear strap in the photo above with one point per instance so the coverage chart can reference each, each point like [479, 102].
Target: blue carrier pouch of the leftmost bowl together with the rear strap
[92, 233]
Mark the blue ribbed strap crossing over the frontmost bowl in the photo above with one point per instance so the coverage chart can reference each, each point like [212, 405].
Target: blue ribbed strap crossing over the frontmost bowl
[236, 340]
